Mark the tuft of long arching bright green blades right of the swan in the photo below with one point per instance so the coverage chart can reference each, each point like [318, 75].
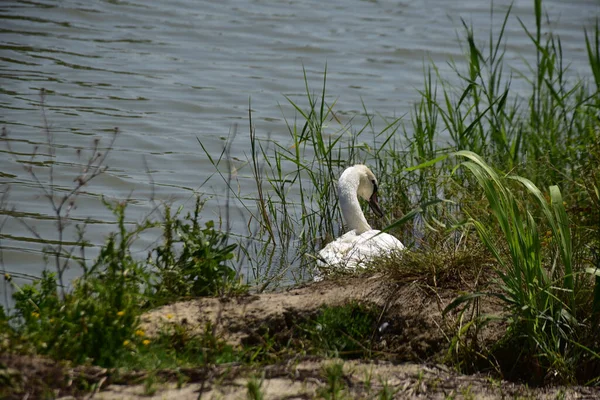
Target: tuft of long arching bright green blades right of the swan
[539, 294]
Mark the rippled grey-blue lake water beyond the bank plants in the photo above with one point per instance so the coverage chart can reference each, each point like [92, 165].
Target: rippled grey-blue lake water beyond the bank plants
[170, 73]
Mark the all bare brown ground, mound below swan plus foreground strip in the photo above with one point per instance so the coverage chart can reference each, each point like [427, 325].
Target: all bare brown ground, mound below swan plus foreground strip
[410, 343]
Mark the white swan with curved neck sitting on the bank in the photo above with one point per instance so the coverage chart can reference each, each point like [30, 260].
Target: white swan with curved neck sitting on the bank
[360, 244]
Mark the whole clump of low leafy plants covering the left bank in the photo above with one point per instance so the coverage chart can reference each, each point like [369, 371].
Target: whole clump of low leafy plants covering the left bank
[98, 318]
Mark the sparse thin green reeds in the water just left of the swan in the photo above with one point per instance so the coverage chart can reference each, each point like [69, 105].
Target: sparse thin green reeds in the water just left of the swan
[295, 211]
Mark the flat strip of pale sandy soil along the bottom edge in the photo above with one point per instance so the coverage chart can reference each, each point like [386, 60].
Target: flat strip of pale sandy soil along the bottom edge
[361, 381]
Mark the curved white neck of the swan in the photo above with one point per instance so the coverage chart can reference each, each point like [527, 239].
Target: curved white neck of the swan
[351, 211]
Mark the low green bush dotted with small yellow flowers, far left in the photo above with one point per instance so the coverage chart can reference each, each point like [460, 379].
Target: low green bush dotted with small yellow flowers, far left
[99, 317]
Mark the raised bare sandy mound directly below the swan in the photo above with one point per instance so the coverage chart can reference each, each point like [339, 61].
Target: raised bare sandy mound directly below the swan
[411, 314]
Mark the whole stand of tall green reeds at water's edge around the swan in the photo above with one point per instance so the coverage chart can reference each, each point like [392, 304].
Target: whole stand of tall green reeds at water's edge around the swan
[540, 130]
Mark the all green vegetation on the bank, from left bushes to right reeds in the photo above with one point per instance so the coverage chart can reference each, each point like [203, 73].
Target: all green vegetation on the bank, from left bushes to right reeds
[495, 192]
